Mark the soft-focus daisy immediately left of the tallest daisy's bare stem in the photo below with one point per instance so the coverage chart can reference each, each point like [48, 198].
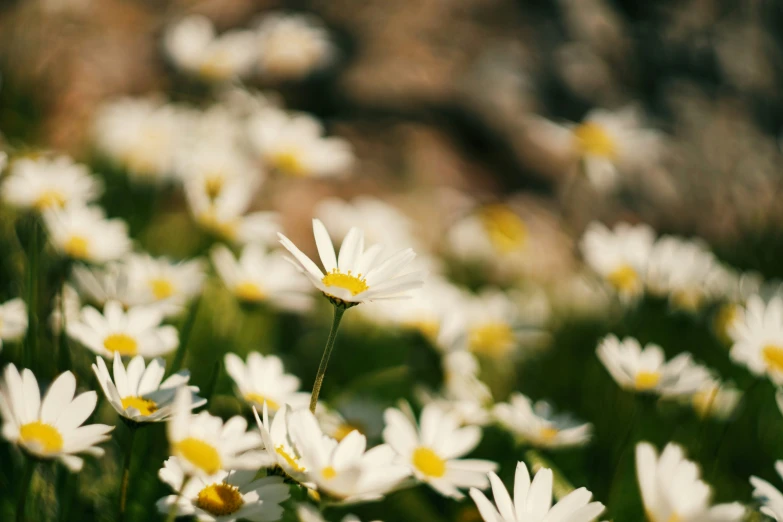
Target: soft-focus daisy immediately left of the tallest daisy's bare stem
[263, 379]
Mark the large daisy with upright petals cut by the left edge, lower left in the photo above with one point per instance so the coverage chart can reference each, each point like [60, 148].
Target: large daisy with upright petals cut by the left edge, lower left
[50, 428]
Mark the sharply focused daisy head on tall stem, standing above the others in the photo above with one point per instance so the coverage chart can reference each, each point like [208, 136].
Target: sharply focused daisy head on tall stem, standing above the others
[355, 276]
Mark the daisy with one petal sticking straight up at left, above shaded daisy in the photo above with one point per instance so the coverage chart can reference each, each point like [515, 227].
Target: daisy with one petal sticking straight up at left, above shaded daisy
[206, 445]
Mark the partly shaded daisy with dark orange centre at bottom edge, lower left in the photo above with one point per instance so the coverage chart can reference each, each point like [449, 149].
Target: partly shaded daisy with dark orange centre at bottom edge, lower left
[226, 496]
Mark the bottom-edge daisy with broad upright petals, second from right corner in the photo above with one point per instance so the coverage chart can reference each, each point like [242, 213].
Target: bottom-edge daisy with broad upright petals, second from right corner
[672, 489]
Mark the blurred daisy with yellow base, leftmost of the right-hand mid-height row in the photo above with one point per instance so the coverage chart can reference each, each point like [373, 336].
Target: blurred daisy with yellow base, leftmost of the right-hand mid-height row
[620, 255]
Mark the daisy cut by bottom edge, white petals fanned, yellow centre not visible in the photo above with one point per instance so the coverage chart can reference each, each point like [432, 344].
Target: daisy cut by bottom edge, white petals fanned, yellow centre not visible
[533, 500]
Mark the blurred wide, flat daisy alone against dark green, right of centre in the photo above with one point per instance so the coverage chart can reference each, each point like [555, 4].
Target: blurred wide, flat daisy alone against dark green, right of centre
[646, 370]
